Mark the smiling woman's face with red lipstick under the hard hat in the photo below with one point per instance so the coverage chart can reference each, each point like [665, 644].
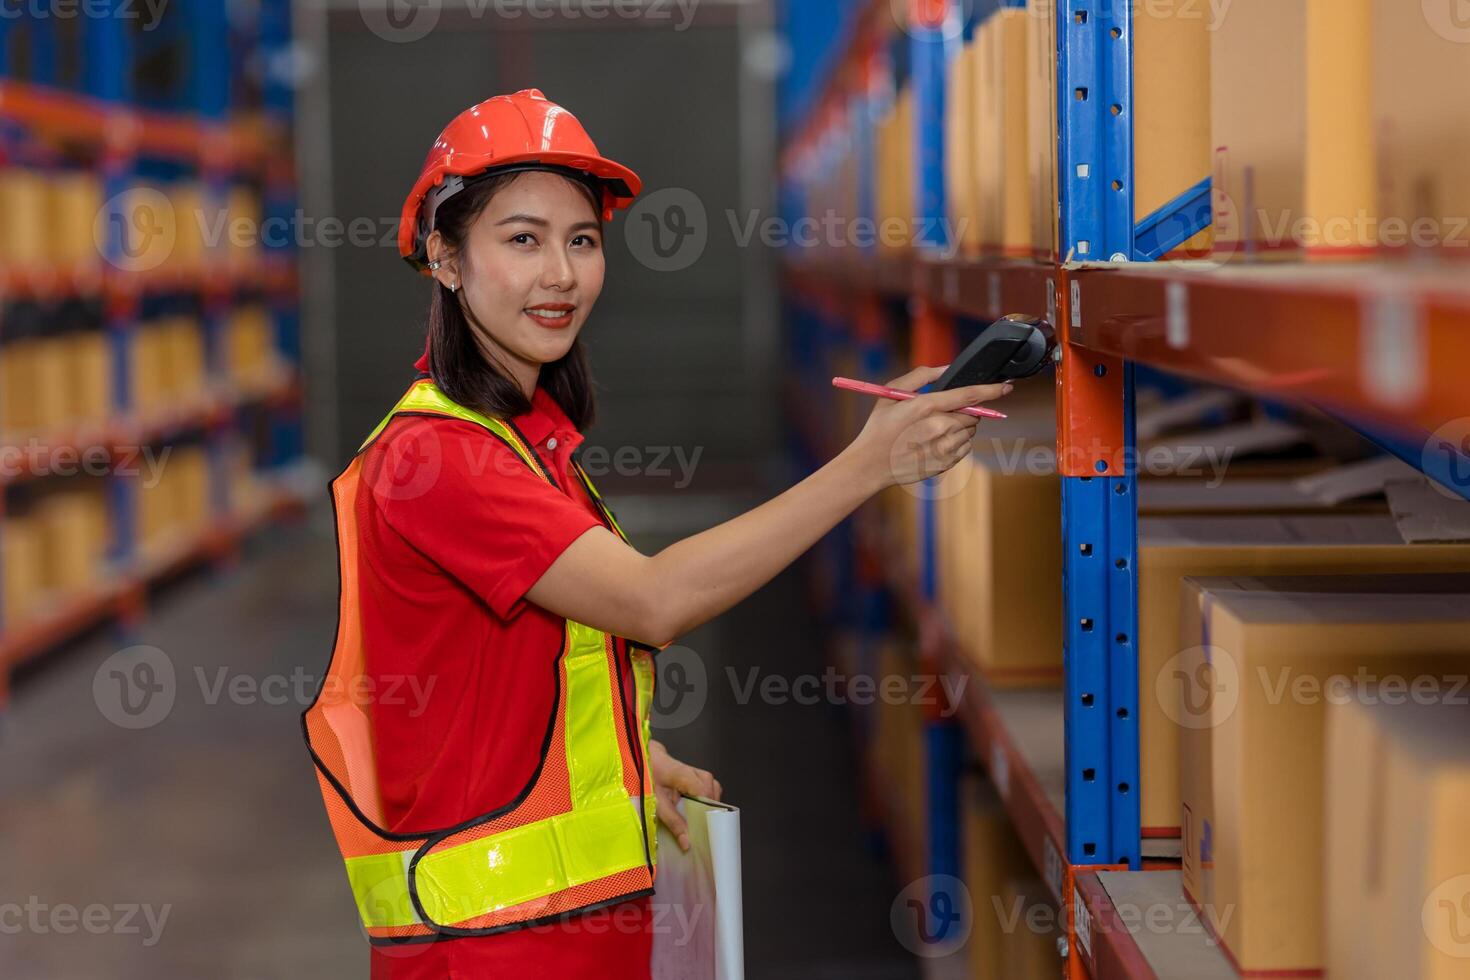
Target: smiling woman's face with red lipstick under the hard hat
[531, 271]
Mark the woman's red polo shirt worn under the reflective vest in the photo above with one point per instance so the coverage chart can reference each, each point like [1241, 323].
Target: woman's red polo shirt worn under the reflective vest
[453, 530]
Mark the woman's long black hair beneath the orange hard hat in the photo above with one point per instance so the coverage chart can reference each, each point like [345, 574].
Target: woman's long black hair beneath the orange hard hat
[456, 361]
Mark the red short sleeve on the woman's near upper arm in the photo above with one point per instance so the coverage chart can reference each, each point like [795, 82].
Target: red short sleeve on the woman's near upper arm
[471, 505]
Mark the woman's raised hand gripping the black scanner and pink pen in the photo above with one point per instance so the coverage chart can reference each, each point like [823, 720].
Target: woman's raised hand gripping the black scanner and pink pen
[911, 442]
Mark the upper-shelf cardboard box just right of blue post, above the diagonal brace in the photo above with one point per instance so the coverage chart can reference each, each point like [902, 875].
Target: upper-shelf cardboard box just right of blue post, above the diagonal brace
[1171, 107]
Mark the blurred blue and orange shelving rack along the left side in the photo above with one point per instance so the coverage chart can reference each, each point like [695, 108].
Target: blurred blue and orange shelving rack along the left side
[193, 129]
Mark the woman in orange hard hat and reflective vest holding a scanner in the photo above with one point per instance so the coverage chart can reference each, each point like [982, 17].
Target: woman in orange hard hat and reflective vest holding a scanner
[483, 735]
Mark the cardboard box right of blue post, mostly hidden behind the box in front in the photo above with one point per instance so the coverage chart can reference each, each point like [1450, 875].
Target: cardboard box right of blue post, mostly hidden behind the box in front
[1172, 549]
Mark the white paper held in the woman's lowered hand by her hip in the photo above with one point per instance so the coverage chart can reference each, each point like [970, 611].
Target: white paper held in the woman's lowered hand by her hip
[699, 920]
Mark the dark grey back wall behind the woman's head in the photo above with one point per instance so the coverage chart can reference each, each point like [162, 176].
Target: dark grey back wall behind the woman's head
[667, 347]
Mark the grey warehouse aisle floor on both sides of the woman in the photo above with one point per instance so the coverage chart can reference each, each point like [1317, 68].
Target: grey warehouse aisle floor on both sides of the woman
[199, 849]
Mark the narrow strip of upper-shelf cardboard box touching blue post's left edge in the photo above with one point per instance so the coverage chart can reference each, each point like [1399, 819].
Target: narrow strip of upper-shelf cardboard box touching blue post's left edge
[1041, 126]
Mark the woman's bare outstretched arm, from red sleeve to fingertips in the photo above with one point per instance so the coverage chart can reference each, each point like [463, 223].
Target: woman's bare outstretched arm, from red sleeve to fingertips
[656, 599]
